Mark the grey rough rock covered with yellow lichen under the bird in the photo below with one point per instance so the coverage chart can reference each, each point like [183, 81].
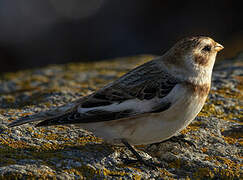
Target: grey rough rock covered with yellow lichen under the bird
[68, 152]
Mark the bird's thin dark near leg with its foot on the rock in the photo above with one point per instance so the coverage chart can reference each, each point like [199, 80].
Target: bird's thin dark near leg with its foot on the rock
[139, 158]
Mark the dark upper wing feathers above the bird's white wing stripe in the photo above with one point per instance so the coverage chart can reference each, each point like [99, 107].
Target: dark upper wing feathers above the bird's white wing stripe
[144, 82]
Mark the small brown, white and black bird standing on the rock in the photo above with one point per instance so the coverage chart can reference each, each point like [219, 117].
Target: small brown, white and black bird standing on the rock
[150, 103]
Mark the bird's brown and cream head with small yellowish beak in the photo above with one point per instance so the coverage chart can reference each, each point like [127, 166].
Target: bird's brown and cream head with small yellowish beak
[193, 56]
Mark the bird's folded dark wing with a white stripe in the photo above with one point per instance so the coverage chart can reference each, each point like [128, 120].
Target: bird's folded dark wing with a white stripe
[141, 90]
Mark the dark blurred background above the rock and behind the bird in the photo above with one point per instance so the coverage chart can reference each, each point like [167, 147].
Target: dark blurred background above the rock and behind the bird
[38, 33]
